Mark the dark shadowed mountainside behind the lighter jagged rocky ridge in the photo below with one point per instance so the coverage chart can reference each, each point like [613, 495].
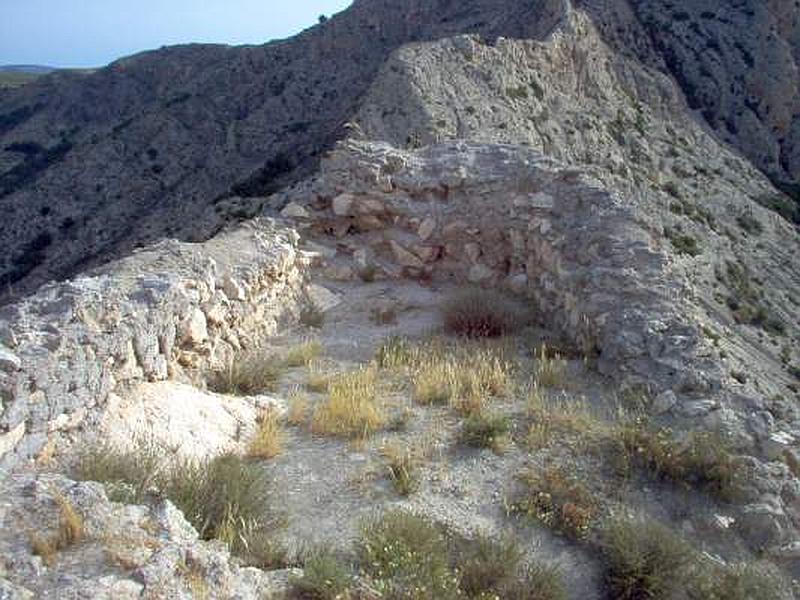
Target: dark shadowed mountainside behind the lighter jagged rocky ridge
[167, 142]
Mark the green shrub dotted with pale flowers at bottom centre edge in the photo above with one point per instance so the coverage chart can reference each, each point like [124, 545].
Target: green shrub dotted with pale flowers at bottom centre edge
[406, 557]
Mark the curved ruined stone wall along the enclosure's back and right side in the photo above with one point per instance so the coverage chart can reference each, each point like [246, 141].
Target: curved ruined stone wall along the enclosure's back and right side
[499, 215]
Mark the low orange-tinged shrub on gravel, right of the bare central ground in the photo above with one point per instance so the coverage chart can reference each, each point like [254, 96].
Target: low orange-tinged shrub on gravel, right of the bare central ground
[556, 499]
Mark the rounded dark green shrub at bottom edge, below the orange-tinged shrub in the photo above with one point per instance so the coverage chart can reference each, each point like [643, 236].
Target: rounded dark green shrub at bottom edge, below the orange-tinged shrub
[643, 559]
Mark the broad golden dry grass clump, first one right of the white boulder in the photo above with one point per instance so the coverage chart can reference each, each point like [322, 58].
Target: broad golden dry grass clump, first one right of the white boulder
[352, 408]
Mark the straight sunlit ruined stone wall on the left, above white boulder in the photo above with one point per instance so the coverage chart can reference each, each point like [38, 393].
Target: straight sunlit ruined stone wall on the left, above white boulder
[168, 312]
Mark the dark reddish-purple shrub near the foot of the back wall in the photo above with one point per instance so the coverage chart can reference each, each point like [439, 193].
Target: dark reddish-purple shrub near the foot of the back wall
[477, 313]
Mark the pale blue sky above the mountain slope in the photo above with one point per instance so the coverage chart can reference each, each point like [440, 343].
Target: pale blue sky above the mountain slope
[91, 33]
